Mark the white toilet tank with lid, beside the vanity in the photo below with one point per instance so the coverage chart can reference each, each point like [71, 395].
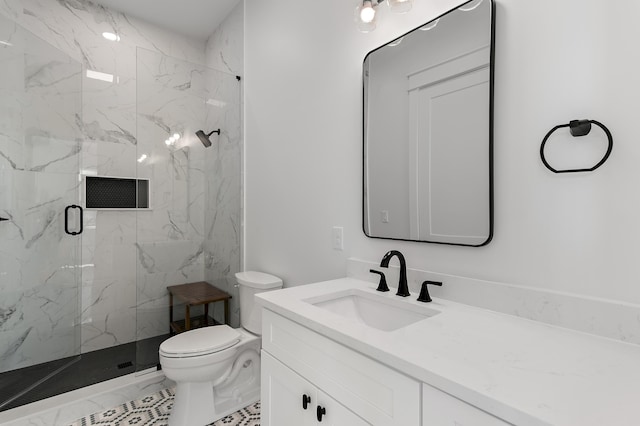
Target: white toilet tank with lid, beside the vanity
[251, 283]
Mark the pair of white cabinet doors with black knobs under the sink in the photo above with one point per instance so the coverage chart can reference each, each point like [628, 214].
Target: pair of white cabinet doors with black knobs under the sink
[290, 400]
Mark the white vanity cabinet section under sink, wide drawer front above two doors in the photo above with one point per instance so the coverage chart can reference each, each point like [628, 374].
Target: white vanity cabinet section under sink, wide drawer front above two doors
[297, 361]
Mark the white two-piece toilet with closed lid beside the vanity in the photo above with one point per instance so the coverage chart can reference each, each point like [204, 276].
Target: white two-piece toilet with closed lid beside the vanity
[217, 369]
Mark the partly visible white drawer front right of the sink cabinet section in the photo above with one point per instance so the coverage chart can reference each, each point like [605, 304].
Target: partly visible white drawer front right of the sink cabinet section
[441, 409]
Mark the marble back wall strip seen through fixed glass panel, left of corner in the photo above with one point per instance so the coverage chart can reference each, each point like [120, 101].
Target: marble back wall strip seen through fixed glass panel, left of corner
[171, 99]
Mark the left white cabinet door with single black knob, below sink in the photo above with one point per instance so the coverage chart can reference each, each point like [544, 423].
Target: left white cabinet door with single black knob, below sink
[282, 392]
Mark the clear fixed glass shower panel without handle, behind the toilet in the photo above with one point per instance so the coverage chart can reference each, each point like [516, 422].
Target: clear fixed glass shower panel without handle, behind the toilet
[191, 232]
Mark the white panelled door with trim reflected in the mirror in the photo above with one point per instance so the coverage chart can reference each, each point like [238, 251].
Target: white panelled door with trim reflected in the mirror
[449, 133]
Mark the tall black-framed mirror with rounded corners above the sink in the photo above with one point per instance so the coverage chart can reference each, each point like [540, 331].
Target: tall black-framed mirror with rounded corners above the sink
[428, 131]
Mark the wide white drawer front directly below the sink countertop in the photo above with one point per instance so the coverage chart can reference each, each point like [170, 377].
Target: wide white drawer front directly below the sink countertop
[373, 391]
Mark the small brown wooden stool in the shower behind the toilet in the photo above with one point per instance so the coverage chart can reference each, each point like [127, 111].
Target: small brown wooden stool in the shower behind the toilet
[194, 294]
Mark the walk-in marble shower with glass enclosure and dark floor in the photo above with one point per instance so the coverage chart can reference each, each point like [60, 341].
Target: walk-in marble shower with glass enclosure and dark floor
[78, 308]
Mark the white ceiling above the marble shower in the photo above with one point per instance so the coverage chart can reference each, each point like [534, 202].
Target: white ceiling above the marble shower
[195, 18]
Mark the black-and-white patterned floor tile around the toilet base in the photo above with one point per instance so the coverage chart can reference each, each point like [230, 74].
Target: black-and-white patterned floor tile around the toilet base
[154, 410]
